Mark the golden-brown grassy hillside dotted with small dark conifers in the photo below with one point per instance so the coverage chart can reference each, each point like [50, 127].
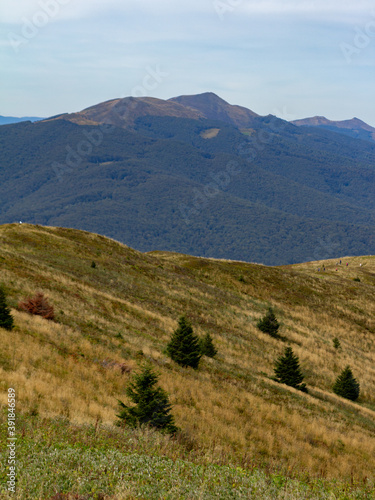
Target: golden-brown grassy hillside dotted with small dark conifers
[231, 412]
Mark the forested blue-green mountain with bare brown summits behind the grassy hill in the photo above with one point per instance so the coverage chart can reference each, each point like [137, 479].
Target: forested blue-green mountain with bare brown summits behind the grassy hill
[196, 175]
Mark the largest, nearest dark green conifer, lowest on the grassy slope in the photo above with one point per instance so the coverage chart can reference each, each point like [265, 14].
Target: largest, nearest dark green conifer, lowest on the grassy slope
[152, 405]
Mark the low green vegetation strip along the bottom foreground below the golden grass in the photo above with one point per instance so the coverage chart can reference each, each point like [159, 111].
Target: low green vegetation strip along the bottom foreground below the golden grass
[59, 460]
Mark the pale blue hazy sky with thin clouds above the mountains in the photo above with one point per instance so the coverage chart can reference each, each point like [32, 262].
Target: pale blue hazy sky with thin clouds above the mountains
[292, 58]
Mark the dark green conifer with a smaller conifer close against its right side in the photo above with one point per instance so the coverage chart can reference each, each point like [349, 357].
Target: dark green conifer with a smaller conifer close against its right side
[184, 346]
